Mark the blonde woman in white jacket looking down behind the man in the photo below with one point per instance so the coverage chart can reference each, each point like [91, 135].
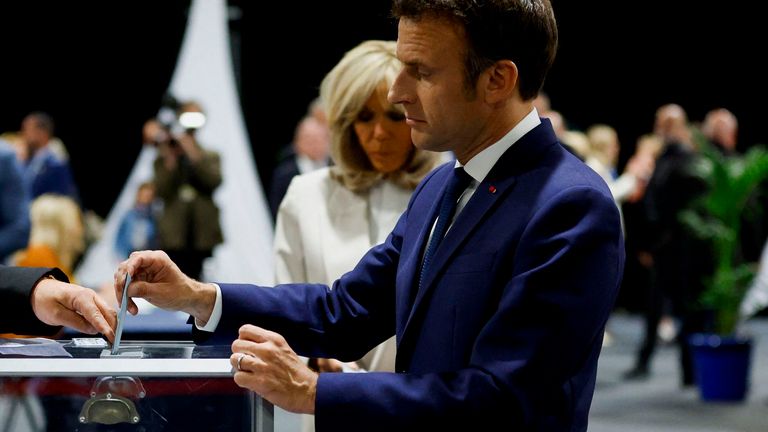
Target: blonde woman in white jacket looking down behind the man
[329, 218]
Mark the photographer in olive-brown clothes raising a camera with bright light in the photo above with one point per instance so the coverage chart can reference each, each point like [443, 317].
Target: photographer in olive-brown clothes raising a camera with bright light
[186, 176]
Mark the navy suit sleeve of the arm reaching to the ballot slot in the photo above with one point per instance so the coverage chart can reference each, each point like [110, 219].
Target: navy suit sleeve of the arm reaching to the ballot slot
[344, 322]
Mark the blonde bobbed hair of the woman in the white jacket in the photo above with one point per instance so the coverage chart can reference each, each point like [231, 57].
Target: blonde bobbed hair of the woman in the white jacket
[362, 71]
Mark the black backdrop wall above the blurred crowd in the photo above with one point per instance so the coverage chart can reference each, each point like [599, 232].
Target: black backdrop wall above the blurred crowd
[101, 68]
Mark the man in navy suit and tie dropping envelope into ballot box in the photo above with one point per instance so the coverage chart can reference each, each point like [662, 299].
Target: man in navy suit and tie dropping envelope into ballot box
[505, 324]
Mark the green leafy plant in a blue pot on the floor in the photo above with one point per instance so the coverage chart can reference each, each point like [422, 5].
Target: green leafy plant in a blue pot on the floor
[716, 216]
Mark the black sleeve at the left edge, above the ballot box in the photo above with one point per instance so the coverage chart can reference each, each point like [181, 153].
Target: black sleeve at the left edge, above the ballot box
[16, 284]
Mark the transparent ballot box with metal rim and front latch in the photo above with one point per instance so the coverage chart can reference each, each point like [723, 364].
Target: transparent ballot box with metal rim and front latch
[146, 386]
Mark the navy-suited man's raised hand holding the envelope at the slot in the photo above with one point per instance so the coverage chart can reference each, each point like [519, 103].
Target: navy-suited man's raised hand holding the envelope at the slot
[158, 280]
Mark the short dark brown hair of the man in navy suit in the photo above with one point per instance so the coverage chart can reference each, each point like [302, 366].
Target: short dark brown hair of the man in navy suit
[523, 31]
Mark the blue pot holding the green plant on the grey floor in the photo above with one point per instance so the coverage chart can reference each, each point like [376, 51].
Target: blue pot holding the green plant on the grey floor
[722, 365]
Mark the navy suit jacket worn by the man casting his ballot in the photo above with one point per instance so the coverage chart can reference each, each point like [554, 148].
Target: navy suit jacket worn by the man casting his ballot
[508, 325]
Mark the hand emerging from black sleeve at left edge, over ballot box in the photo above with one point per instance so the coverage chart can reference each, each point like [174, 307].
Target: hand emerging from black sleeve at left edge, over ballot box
[60, 303]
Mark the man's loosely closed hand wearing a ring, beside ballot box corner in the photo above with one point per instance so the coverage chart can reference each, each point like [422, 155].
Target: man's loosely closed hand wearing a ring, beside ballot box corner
[263, 362]
